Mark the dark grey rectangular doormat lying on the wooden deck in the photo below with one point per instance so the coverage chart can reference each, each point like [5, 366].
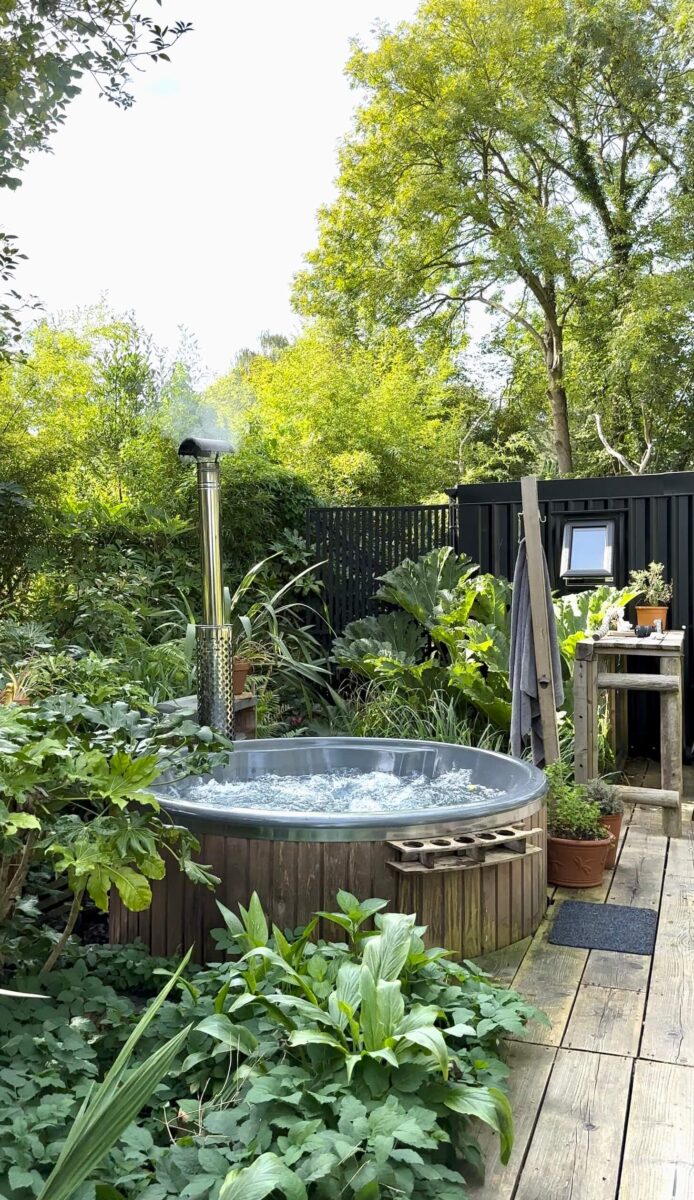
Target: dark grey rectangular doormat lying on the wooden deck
[605, 927]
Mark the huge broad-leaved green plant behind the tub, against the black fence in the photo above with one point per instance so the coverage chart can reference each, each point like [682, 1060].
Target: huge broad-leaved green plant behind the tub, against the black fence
[439, 664]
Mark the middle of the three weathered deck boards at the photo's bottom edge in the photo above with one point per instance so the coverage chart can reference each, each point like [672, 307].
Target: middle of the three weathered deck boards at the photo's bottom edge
[575, 1154]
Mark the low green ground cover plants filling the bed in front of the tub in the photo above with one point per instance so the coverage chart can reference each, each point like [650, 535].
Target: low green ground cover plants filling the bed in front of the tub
[351, 1066]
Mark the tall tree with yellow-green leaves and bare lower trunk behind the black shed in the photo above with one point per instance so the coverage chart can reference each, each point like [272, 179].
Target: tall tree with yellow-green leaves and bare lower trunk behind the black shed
[520, 157]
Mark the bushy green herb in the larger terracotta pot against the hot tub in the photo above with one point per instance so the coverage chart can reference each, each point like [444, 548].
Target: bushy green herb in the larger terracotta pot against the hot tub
[578, 842]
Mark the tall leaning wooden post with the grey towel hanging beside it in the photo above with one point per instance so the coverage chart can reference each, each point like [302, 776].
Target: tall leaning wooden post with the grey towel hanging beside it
[540, 616]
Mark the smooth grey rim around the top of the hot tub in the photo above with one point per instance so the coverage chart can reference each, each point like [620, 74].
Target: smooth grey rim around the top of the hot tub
[354, 827]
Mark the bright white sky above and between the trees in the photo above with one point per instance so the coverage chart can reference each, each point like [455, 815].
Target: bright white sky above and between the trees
[196, 207]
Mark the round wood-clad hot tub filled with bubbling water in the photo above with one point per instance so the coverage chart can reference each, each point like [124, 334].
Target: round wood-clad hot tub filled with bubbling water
[453, 833]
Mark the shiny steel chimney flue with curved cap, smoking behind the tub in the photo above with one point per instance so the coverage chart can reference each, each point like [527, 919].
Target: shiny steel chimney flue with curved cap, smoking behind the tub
[213, 637]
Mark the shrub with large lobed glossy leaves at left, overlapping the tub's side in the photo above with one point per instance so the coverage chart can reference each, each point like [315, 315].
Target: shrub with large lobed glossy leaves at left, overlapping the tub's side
[74, 793]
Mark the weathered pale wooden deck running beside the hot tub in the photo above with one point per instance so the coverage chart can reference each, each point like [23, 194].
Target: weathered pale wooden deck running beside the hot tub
[605, 1100]
